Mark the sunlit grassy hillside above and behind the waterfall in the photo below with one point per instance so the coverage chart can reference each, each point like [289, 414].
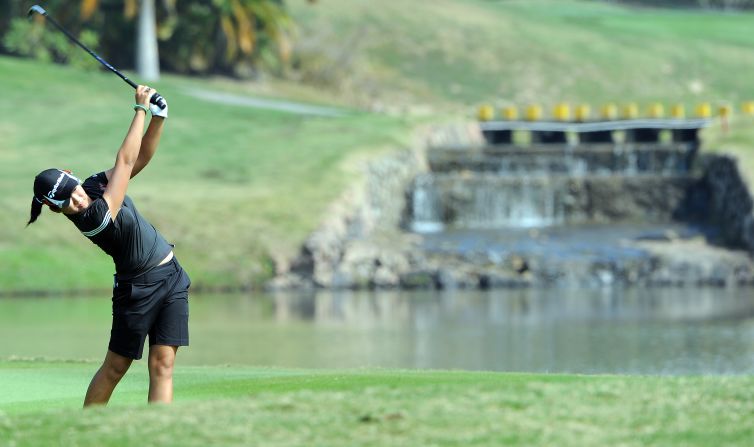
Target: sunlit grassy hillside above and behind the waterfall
[465, 52]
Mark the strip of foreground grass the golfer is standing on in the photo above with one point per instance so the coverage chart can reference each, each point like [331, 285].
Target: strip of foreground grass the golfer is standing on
[39, 405]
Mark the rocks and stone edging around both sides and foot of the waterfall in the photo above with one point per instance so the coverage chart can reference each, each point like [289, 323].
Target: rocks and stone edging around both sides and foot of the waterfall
[361, 243]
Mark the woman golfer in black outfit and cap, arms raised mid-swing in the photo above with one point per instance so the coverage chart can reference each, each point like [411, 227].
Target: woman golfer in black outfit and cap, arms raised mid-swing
[150, 292]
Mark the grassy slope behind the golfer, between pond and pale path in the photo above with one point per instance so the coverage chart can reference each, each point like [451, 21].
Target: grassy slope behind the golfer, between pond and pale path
[234, 188]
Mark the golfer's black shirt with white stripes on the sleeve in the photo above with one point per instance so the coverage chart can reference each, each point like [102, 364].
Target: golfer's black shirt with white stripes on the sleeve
[134, 244]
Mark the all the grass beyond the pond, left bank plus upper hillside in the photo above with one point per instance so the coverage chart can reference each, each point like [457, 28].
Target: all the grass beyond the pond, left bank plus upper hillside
[238, 189]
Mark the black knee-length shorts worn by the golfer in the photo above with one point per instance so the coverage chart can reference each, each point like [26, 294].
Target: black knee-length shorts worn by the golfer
[155, 304]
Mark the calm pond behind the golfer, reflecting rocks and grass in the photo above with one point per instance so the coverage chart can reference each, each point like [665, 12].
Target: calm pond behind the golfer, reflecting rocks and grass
[627, 331]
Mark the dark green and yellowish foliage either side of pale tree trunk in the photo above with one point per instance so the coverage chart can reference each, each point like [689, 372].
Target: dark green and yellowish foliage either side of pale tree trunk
[232, 37]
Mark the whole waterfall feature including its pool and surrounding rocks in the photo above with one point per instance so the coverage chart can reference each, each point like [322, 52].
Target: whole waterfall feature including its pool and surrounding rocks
[593, 215]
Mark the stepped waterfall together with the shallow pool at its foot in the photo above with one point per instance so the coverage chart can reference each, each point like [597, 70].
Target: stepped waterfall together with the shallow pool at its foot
[563, 212]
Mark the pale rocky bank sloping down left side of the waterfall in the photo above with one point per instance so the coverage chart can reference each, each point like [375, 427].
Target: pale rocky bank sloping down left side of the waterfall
[359, 242]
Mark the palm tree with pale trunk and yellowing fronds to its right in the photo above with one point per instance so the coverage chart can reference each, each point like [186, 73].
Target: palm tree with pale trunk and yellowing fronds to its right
[211, 35]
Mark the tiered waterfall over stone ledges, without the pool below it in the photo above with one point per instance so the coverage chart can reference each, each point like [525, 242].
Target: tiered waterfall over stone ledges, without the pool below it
[494, 188]
